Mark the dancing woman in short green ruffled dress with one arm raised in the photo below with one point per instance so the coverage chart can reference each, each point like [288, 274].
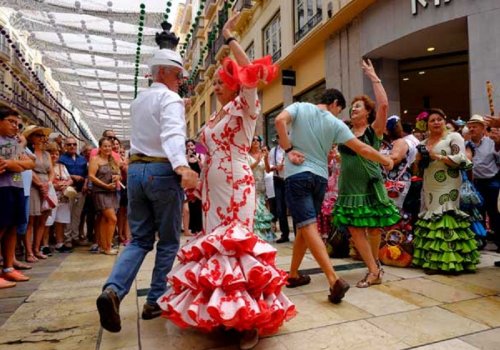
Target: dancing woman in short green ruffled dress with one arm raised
[362, 204]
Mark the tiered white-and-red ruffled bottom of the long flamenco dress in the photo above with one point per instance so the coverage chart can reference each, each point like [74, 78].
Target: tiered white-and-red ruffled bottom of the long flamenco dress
[227, 279]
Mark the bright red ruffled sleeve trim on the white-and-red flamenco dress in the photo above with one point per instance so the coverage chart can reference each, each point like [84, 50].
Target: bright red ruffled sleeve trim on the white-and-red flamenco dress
[249, 76]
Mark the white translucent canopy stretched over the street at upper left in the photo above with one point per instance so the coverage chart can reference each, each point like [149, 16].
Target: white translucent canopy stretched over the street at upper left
[90, 47]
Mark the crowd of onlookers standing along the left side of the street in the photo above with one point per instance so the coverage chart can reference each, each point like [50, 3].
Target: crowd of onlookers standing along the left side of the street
[69, 197]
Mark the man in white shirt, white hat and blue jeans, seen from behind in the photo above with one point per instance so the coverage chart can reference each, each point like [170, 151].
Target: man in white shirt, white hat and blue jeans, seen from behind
[157, 163]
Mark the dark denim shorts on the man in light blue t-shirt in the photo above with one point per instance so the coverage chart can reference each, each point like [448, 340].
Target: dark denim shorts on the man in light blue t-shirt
[304, 194]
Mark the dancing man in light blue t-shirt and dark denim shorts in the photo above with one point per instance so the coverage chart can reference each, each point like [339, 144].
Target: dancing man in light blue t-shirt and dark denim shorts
[313, 130]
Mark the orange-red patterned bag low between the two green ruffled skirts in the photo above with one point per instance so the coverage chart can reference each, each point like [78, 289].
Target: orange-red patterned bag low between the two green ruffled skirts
[397, 249]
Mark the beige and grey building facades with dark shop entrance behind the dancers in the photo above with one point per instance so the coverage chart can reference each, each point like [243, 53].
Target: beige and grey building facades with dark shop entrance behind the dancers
[429, 53]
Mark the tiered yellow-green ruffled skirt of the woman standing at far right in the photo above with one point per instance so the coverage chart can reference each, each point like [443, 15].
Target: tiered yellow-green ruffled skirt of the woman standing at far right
[445, 243]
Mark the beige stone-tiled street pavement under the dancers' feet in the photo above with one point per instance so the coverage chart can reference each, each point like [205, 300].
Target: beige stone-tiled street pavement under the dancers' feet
[410, 310]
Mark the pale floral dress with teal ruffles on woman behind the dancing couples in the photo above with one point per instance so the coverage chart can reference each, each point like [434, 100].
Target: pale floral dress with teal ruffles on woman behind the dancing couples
[262, 226]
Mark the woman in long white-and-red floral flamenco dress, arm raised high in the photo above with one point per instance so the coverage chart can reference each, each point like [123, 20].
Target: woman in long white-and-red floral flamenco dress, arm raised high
[226, 277]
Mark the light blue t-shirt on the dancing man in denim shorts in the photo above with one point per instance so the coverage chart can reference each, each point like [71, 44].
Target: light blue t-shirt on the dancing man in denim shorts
[313, 133]
